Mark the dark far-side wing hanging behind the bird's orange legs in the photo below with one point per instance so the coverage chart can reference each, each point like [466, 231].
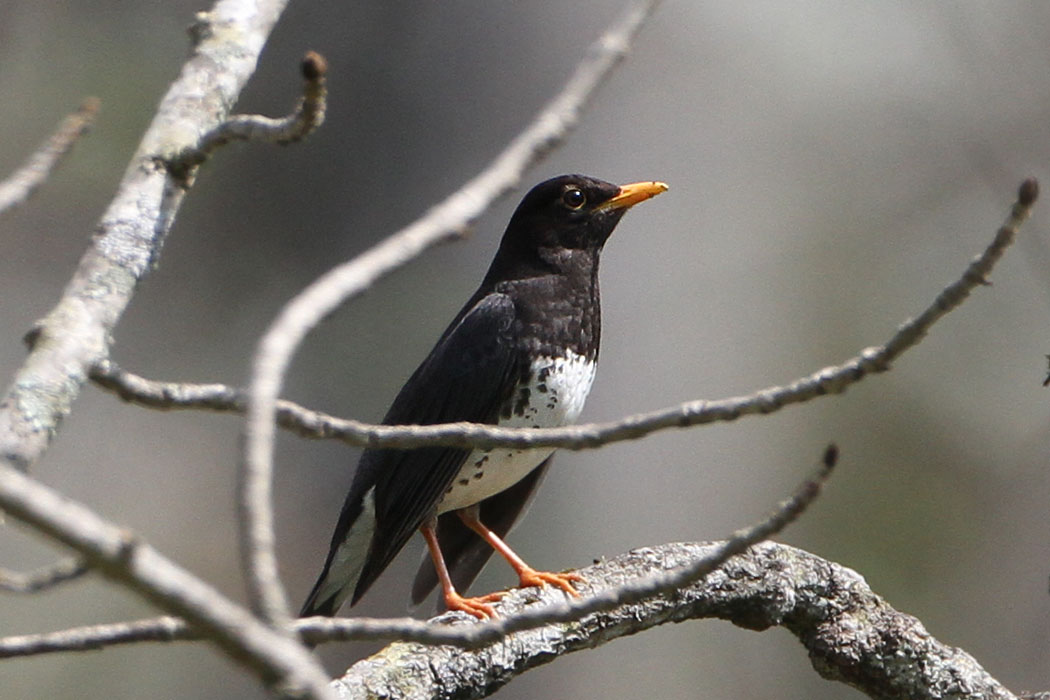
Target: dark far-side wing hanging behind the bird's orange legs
[466, 553]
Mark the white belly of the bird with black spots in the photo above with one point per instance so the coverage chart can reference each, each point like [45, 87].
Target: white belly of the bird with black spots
[554, 396]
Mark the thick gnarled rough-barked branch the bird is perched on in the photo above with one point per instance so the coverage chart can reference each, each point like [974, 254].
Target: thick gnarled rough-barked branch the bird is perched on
[852, 634]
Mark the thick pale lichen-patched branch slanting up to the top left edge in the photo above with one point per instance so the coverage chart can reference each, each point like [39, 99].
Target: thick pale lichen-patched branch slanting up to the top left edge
[76, 334]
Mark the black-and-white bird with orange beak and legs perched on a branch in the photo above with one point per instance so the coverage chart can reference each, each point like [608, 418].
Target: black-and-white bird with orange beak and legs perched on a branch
[521, 353]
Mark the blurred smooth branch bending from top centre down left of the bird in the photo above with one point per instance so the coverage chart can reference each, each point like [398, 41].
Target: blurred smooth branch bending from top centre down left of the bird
[444, 223]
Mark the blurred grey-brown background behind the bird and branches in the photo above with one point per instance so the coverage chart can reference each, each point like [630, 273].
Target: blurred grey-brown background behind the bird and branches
[833, 166]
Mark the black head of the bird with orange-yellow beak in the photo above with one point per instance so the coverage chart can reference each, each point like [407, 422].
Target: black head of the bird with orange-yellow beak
[568, 216]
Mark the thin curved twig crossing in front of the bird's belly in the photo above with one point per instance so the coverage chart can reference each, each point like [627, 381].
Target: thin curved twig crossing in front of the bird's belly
[830, 380]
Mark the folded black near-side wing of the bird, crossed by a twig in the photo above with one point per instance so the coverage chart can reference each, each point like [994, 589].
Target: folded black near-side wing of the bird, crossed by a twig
[468, 377]
